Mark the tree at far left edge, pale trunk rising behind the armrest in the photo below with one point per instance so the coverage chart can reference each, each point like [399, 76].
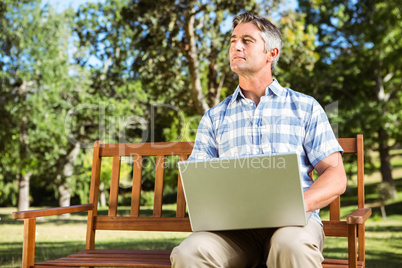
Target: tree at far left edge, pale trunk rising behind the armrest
[24, 41]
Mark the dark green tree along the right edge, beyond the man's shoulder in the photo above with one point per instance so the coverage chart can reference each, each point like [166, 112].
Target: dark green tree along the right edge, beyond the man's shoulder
[359, 46]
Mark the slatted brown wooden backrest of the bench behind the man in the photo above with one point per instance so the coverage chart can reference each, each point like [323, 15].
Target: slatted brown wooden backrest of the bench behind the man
[333, 227]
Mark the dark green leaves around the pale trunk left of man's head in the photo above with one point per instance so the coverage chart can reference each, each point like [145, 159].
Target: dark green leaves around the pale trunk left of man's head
[154, 37]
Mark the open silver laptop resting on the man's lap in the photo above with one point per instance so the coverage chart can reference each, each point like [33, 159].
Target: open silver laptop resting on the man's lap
[248, 192]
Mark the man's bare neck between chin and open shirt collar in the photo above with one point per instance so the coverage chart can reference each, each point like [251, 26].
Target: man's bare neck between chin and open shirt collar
[254, 88]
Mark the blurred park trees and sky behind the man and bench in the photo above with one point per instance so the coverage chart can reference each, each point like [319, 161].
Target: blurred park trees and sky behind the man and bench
[73, 72]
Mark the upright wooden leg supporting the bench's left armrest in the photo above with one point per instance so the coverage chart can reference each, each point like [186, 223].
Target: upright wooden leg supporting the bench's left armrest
[28, 245]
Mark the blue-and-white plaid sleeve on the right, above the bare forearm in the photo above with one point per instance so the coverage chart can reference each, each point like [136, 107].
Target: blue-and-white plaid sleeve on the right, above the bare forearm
[320, 140]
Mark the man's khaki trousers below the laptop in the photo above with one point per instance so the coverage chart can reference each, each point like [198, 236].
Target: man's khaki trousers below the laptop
[286, 247]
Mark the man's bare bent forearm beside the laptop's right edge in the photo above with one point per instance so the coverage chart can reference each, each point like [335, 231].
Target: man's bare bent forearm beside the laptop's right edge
[331, 183]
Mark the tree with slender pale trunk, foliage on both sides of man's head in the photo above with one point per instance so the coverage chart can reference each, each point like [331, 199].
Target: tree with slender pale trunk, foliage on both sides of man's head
[179, 49]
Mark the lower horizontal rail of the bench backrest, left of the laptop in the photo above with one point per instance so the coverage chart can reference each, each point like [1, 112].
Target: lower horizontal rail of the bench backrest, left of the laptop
[143, 224]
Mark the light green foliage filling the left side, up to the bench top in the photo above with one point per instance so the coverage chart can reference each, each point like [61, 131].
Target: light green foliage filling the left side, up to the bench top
[49, 104]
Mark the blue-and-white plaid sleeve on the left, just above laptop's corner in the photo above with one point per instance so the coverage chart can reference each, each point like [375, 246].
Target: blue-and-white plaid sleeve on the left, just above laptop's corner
[205, 145]
